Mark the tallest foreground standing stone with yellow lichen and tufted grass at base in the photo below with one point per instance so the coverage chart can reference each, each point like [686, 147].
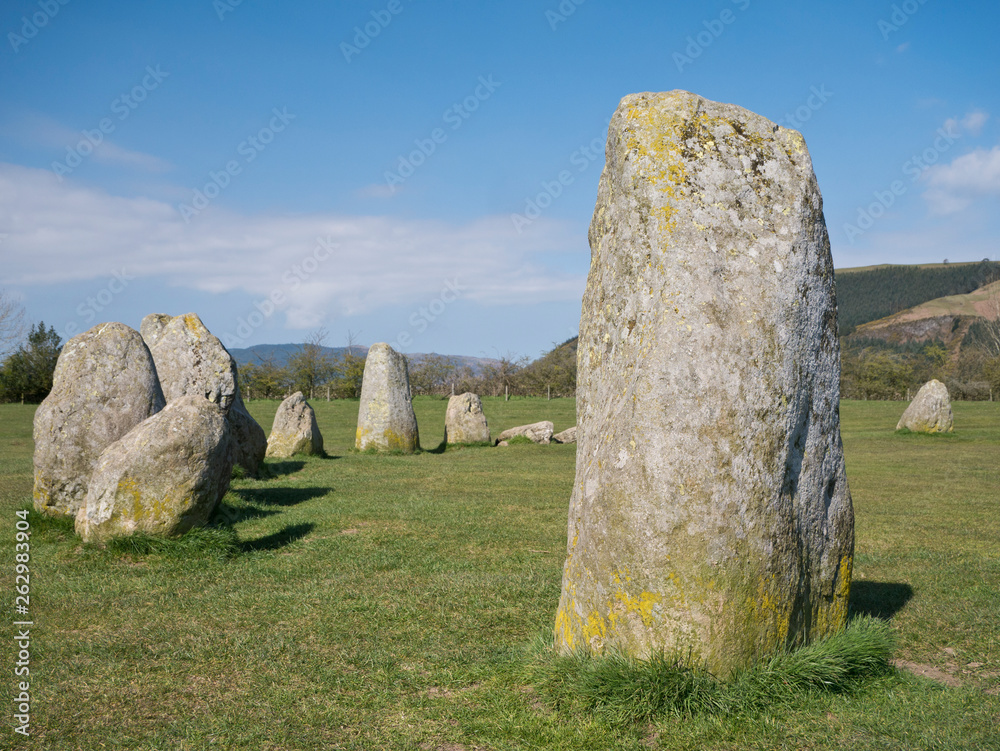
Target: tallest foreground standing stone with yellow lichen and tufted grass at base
[710, 511]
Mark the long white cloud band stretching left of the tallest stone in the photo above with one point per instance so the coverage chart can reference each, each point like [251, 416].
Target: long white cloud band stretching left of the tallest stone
[67, 232]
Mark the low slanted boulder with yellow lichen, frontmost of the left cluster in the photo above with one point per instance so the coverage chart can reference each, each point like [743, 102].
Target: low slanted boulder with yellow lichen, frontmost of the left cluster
[162, 478]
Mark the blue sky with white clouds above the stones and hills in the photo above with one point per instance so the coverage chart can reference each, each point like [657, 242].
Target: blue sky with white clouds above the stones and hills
[392, 168]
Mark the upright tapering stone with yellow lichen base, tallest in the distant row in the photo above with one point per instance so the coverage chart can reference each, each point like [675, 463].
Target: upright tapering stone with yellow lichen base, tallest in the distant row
[385, 420]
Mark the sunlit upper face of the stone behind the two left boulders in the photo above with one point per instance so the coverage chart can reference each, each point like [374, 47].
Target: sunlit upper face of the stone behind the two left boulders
[191, 360]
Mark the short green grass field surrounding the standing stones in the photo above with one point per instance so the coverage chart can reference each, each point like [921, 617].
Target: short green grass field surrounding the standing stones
[388, 602]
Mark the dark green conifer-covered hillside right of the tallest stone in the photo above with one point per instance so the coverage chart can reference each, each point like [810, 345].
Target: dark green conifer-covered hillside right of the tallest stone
[868, 294]
